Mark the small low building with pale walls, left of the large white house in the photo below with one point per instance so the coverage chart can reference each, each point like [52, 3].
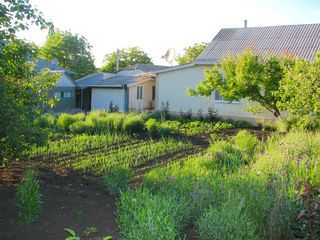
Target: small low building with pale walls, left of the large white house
[130, 89]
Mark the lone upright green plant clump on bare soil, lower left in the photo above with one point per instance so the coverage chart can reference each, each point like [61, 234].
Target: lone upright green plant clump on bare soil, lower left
[29, 197]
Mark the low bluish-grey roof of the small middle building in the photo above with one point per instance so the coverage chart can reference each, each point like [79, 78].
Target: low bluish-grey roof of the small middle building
[127, 76]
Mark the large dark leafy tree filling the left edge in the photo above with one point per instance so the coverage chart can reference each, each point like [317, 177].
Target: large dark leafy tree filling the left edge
[22, 91]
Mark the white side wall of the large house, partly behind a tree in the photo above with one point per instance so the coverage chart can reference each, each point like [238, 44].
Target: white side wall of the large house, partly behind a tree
[172, 86]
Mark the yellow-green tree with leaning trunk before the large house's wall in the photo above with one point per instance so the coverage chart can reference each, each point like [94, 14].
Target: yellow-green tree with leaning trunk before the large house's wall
[249, 76]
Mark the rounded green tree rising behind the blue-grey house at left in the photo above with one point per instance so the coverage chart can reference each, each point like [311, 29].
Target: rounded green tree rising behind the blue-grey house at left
[73, 52]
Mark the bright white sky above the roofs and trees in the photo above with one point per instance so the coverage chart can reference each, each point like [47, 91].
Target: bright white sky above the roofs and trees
[156, 26]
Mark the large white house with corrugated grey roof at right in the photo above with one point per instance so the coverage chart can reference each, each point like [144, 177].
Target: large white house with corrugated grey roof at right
[172, 83]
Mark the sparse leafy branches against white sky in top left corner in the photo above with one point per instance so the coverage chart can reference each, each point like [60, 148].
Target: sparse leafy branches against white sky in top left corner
[16, 16]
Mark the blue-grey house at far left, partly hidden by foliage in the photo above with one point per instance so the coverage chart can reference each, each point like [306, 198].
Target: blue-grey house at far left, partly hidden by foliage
[65, 89]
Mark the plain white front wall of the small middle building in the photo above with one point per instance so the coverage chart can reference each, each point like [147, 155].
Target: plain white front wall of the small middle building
[101, 98]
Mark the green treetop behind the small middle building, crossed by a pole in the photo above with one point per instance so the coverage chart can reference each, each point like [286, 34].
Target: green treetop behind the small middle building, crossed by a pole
[127, 57]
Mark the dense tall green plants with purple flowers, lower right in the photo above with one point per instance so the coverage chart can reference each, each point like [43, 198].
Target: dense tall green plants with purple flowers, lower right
[240, 189]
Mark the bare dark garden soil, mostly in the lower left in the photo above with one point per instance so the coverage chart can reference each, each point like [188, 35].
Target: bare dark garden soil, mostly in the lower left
[73, 199]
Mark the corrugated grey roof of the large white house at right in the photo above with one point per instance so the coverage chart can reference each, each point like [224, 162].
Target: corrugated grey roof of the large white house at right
[298, 40]
